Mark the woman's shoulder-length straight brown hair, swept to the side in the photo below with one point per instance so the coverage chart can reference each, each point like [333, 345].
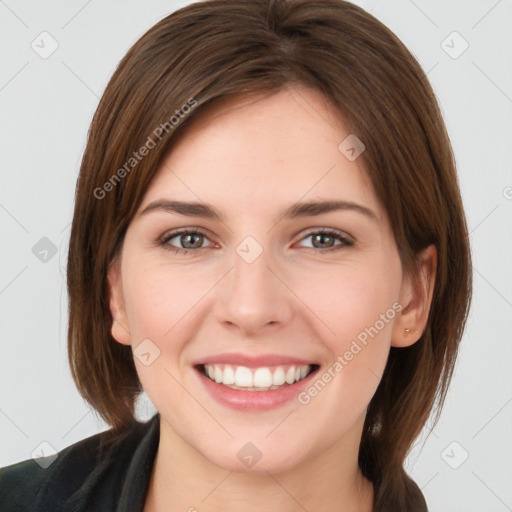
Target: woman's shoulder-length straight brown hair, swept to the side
[213, 50]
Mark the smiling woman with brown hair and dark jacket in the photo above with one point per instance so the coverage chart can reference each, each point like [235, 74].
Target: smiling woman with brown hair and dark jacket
[269, 240]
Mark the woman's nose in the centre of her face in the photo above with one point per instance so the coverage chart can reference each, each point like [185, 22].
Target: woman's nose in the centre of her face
[254, 295]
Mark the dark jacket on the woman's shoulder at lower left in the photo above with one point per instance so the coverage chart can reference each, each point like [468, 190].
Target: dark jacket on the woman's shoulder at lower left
[86, 476]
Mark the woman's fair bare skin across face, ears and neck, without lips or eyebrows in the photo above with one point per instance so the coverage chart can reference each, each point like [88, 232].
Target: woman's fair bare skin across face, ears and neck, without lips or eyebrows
[251, 159]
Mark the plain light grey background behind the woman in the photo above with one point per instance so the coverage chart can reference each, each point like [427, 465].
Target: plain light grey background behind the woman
[46, 108]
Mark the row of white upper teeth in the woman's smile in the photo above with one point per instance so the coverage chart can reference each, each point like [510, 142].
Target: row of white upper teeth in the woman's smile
[257, 379]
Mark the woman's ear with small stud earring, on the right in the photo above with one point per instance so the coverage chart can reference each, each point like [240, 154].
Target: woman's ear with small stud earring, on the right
[416, 298]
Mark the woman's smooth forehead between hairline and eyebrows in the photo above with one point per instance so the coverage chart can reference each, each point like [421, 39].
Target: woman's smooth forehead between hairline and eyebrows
[270, 149]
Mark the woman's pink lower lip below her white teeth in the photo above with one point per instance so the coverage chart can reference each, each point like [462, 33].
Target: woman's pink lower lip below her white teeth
[254, 400]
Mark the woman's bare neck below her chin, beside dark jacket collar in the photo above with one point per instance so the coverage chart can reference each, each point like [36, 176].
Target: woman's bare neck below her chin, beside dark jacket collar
[184, 480]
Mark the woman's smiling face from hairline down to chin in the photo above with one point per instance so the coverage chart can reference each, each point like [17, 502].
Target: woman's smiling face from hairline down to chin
[259, 295]
